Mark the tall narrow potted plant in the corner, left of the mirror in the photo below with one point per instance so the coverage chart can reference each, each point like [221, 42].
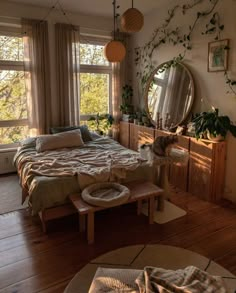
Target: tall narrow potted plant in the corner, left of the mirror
[126, 107]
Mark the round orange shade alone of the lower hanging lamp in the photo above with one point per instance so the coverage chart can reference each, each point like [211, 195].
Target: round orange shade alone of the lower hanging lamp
[114, 51]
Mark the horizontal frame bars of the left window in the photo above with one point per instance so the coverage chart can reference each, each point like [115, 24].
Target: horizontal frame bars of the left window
[14, 66]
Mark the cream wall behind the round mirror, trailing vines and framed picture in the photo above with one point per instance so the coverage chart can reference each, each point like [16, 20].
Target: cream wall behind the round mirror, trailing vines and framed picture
[210, 86]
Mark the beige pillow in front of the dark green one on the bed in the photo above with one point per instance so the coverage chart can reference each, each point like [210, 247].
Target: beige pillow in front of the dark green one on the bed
[66, 139]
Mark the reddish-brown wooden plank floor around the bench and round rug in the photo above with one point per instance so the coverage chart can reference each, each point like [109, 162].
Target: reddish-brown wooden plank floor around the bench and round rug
[33, 262]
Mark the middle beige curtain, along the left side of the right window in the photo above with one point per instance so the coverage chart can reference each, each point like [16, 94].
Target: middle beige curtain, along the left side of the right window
[67, 70]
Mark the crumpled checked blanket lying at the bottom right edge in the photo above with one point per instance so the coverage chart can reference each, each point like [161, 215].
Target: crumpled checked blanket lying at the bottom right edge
[188, 280]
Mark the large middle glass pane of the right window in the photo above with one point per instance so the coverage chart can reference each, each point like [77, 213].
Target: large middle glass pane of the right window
[94, 93]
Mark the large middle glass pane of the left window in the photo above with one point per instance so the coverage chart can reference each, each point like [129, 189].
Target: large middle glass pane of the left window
[13, 102]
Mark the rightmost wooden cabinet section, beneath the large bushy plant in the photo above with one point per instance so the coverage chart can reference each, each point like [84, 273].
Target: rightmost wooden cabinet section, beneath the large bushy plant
[207, 169]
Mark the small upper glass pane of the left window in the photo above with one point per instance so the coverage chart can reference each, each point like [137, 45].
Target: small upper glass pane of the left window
[11, 48]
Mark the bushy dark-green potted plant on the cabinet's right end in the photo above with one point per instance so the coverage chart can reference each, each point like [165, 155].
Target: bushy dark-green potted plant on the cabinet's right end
[213, 125]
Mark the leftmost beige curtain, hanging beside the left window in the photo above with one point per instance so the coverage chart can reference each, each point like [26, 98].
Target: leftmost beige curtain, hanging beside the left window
[37, 73]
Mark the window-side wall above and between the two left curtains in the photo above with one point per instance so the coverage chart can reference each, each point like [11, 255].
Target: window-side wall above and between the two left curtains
[12, 12]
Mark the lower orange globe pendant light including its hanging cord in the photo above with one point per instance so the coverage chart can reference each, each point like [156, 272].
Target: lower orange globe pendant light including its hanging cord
[114, 50]
